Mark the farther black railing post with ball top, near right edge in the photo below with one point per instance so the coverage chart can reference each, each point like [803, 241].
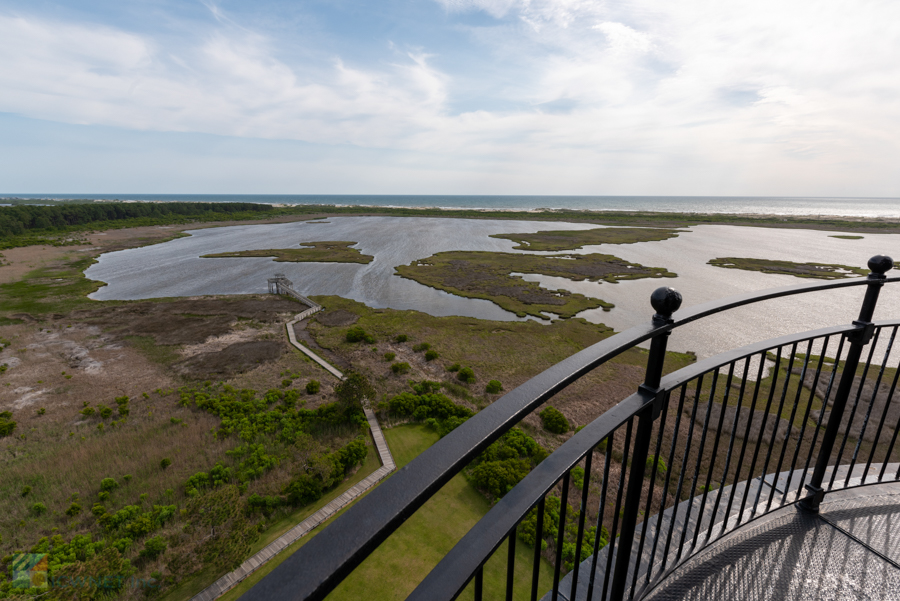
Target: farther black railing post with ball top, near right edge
[858, 339]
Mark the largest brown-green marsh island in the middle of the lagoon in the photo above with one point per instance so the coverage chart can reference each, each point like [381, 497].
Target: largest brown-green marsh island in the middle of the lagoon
[488, 275]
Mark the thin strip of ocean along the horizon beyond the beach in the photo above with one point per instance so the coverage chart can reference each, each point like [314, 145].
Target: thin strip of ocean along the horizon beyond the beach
[795, 206]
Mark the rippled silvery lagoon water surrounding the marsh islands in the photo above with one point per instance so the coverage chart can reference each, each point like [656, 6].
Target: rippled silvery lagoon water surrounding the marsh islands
[176, 269]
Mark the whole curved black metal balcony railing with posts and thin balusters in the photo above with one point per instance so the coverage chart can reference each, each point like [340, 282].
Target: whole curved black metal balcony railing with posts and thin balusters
[685, 460]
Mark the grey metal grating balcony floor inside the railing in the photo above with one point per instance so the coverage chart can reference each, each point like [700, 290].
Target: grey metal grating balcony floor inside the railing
[851, 551]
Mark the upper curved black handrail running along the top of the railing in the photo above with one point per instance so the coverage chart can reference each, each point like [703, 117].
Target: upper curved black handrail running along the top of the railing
[313, 571]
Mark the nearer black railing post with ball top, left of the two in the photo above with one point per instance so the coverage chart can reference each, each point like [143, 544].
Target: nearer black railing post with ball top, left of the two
[666, 301]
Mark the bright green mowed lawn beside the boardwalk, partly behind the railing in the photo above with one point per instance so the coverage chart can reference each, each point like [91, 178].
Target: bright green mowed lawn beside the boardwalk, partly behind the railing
[401, 562]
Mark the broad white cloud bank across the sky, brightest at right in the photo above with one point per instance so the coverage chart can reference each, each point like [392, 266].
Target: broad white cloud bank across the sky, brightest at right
[759, 97]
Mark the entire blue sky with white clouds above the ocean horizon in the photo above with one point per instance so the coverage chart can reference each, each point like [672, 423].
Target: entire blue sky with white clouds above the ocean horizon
[555, 97]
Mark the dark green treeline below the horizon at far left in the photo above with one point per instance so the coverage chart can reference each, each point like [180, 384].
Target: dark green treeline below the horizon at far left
[27, 219]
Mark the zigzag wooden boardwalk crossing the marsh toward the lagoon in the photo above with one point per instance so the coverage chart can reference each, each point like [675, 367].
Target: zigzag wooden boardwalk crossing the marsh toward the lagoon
[232, 579]
